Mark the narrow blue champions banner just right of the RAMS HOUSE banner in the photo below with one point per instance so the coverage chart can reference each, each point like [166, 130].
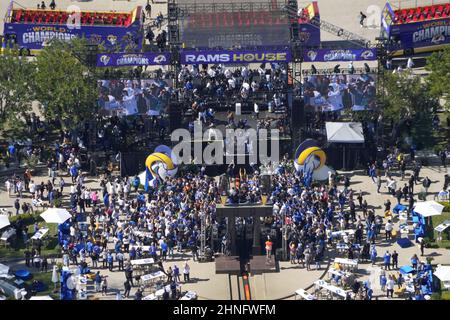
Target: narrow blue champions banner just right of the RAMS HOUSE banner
[324, 55]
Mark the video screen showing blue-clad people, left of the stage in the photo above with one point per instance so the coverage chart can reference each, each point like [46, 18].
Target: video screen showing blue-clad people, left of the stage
[133, 97]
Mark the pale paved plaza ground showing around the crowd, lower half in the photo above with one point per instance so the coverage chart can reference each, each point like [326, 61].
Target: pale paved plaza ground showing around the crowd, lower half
[283, 284]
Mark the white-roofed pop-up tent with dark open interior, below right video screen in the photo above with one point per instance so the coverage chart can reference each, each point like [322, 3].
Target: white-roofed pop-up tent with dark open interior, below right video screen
[346, 138]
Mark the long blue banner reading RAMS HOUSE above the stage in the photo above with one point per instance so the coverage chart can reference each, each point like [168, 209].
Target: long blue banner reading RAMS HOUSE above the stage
[235, 57]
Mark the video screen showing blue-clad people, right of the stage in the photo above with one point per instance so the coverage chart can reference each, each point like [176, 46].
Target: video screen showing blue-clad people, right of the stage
[334, 92]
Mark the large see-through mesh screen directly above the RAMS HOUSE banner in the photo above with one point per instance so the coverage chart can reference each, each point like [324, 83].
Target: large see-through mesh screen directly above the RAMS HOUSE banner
[211, 25]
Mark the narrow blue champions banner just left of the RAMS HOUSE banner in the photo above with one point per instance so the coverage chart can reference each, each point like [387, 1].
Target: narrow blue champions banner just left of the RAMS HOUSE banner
[132, 59]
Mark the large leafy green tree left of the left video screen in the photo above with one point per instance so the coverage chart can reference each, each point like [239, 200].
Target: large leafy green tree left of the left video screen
[64, 84]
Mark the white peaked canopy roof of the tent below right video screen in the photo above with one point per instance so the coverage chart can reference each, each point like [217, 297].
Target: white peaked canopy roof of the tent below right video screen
[344, 132]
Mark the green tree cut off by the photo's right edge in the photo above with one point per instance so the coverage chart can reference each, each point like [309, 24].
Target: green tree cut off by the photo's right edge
[438, 80]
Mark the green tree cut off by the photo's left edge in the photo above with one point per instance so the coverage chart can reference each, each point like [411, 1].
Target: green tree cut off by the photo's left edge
[16, 74]
